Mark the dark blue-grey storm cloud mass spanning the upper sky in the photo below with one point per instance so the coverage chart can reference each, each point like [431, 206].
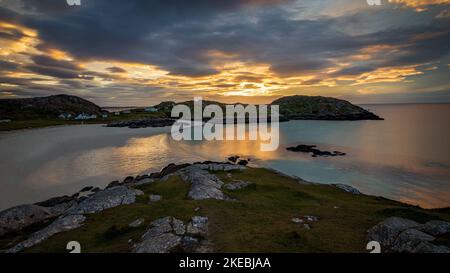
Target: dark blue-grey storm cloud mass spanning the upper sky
[176, 35]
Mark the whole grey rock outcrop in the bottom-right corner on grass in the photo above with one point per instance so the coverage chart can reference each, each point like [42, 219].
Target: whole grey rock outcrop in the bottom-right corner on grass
[397, 234]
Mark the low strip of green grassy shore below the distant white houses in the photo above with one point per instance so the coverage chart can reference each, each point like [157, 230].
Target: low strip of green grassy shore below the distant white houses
[39, 123]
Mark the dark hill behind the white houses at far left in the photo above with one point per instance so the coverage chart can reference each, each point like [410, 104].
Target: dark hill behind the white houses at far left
[45, 107]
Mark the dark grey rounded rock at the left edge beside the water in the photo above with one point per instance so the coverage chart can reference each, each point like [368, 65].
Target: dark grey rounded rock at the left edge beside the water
[16, 218]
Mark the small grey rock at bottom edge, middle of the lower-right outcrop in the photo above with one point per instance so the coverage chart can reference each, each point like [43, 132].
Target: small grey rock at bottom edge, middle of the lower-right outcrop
[409, 239]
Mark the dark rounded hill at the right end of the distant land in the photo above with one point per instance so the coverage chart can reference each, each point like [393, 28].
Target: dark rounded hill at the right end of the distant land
[321, 108]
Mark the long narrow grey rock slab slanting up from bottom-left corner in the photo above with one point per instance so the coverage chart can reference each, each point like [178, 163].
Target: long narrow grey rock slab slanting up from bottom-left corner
[62, 224]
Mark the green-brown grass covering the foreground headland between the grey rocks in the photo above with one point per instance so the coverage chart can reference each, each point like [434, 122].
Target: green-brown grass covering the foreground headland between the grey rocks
[258, 221]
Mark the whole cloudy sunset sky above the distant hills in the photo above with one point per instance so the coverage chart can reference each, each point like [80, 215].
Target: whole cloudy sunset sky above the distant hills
[142, 52]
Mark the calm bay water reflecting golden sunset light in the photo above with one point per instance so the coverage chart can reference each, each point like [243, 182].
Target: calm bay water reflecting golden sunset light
[406, 157]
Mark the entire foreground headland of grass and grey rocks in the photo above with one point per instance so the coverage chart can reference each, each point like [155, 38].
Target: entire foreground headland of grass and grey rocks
[219, 207]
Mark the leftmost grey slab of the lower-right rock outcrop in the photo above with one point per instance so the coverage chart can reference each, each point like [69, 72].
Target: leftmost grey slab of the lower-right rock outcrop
[387, 231]
